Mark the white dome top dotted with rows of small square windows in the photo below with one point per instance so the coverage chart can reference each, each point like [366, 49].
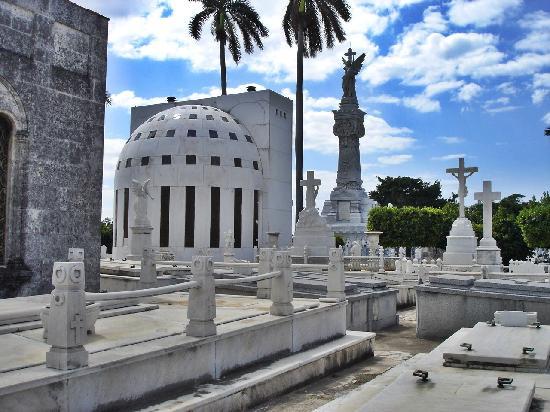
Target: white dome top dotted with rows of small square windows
[185, 131]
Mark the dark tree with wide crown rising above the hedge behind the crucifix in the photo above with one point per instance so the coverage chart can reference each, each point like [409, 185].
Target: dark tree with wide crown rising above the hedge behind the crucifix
[407, 191]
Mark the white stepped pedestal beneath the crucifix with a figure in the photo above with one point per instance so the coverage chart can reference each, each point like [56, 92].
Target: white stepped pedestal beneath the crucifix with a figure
[461, 244]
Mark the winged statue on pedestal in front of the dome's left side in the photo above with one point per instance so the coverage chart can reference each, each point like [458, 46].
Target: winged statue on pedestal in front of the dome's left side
[142, 229]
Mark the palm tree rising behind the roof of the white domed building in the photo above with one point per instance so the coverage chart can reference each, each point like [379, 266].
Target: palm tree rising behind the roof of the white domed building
[228, 16]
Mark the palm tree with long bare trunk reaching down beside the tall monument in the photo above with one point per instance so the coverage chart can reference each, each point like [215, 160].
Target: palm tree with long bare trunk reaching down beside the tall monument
[309, 24]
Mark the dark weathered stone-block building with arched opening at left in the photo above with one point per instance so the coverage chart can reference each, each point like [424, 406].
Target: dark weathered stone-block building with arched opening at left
[53, 57]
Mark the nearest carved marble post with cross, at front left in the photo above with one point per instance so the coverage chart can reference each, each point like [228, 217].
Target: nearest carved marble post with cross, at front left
[67, 318]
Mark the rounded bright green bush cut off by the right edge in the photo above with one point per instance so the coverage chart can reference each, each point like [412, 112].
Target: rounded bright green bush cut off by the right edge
[534, 222]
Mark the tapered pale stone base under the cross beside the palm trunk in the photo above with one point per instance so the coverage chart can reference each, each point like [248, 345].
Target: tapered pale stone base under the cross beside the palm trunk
[312, 231]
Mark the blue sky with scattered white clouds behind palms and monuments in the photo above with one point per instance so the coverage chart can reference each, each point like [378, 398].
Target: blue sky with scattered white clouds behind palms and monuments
[442, 79]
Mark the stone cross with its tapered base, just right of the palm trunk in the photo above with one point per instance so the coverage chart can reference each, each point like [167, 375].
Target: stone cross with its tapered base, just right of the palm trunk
[312, 229]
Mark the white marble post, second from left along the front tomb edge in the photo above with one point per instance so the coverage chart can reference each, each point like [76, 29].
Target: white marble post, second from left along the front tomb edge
[202, 301]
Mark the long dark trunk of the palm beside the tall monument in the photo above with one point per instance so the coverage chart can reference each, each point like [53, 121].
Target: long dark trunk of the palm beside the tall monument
[299, 141]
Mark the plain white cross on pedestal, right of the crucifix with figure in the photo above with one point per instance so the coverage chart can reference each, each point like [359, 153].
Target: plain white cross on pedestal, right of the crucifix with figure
[488, 253]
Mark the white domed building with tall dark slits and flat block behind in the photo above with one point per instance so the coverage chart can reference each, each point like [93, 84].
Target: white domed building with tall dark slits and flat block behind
[217, 168]
